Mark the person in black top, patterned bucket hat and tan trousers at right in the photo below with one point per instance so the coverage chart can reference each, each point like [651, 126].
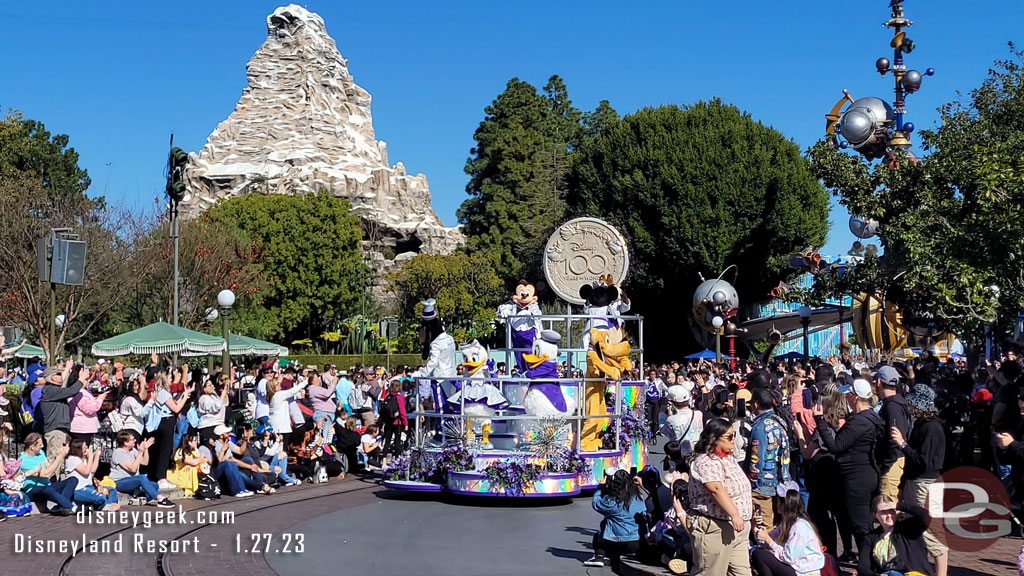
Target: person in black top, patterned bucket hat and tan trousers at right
[925, 454]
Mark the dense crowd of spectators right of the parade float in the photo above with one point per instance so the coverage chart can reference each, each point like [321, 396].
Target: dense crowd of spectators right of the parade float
[802, 469]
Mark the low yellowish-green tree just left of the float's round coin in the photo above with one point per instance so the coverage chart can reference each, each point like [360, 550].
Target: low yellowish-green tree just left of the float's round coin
[466, 287]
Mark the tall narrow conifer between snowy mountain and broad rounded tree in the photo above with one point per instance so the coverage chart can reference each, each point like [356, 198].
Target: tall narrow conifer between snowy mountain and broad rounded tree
[517, 173]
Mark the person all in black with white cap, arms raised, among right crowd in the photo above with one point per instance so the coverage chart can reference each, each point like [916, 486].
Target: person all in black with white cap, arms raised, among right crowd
[855, 447]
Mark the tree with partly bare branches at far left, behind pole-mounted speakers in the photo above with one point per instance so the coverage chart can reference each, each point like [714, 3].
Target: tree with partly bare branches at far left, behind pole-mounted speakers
[42, 188]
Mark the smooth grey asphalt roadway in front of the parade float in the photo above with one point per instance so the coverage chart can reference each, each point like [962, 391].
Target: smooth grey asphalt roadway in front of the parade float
[442, 537]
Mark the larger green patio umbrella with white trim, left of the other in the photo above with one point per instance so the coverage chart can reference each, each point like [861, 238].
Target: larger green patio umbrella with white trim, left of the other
[159, 338]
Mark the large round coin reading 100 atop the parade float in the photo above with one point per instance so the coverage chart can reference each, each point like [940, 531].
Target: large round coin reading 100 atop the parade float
[581, 252]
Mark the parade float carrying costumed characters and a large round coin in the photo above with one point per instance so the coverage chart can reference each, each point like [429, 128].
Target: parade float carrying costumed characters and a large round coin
[542, 433]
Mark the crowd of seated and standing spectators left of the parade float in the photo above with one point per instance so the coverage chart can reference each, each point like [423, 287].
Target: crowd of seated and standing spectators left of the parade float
[107, 435]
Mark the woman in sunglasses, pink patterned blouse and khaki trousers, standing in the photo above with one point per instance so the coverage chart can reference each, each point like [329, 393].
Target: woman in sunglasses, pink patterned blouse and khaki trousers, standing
[720, 505]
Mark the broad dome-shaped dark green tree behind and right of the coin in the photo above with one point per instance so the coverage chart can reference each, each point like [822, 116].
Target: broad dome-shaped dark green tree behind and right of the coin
[697, 190]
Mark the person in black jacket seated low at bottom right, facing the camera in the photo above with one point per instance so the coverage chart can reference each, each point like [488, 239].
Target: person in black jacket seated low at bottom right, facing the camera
[898, 545]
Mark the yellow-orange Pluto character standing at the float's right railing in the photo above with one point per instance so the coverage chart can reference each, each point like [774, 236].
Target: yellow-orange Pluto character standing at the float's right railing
[608, 358]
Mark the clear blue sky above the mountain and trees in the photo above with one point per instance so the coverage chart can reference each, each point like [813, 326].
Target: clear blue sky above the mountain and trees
[119, 77]
